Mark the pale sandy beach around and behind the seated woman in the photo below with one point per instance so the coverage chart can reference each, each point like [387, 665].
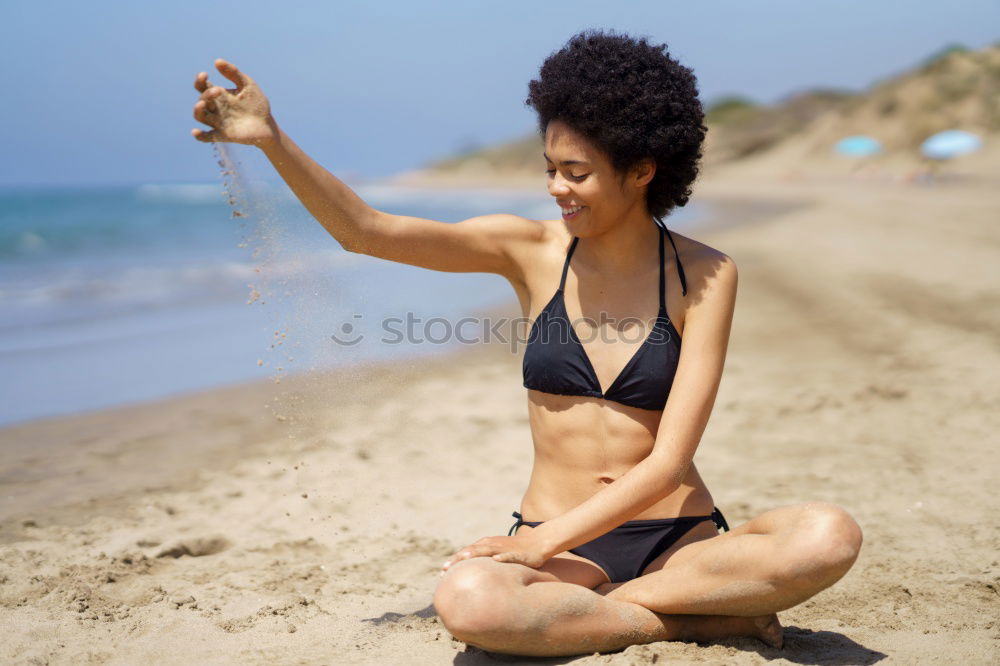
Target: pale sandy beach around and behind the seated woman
[304, 522]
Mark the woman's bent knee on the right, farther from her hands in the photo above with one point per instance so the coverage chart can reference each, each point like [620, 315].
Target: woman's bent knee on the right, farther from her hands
[827, 539]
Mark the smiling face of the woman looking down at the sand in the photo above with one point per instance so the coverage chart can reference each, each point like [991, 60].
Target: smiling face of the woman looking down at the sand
[584, 183]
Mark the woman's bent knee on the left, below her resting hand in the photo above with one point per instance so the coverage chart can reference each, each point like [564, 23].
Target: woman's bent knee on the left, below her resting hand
[476, 598]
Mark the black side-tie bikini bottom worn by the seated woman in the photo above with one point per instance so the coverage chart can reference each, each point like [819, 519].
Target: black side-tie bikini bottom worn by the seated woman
[628, 549]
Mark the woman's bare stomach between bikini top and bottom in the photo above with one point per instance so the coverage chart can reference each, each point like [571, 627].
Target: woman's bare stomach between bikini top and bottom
[584, 444]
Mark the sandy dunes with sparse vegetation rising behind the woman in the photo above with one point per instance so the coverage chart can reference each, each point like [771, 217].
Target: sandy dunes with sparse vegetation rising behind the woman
[954, 87]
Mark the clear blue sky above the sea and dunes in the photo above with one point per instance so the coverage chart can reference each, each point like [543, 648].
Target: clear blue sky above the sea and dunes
[101, 92]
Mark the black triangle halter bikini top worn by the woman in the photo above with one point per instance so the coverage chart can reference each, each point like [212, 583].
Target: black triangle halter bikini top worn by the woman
[556, 362]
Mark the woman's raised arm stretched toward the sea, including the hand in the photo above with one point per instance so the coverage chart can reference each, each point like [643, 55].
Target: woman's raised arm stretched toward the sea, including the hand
[489, 244]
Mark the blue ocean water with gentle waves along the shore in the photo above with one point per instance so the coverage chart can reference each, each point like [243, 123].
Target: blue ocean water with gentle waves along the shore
[123, 294]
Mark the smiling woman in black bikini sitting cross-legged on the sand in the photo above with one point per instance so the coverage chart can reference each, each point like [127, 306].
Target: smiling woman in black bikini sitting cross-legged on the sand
[622, 530]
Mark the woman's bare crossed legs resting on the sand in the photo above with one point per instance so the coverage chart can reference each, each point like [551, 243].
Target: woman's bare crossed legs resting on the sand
[703, 589]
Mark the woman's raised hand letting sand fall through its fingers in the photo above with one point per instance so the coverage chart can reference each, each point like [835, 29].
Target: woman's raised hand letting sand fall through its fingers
[236, 115]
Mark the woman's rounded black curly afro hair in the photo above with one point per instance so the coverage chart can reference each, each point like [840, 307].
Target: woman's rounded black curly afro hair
[633, 101]
